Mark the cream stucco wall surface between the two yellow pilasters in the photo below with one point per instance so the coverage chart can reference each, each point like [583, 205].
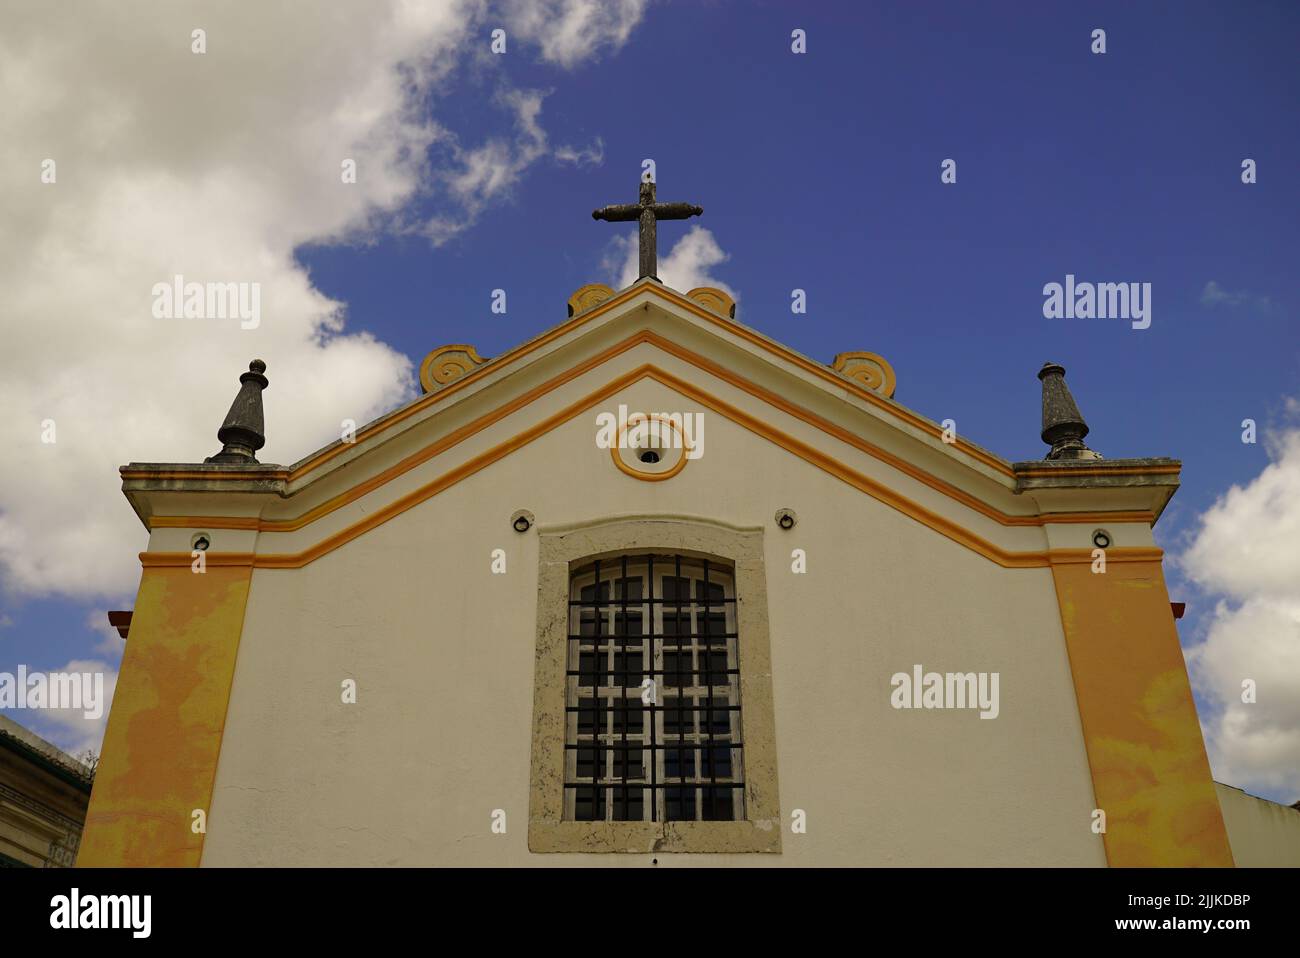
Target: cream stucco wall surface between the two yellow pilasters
[443, 653]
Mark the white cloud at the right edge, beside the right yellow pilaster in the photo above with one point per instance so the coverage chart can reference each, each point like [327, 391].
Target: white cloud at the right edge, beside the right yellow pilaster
[1246, 553]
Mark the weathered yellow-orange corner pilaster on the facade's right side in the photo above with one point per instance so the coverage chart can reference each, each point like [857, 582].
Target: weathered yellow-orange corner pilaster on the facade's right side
[1150, 771]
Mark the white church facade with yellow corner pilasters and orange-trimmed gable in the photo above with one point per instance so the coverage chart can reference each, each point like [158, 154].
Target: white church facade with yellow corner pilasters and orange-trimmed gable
[655, 588]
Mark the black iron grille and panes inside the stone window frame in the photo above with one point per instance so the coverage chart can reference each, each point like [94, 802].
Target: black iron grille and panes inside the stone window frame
[669, 621]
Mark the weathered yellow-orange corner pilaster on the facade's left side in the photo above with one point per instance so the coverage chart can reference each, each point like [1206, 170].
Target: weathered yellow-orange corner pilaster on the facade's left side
[161, 751]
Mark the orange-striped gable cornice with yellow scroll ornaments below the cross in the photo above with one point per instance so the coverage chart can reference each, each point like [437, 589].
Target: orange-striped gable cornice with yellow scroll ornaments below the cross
[478, 413]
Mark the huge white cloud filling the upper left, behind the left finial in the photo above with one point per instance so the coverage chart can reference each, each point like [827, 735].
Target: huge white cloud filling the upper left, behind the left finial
[215, 167]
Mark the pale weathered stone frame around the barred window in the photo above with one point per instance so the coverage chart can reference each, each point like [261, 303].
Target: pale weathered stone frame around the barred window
[565, 548]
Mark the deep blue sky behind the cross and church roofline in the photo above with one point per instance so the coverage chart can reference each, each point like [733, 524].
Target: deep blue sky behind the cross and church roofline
[822, 172]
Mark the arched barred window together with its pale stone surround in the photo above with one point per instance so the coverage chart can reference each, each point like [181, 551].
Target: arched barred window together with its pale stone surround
[653, 716]
